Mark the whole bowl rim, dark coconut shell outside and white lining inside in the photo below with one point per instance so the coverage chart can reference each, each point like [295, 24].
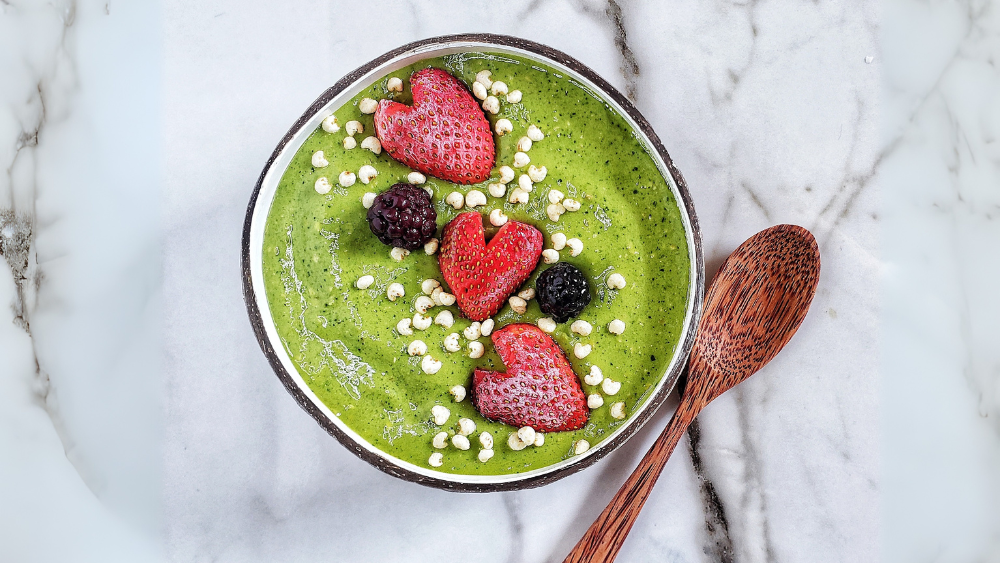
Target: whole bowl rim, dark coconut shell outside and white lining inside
[343, 90]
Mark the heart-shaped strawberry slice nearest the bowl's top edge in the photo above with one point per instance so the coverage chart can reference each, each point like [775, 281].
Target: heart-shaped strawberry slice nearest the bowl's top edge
[444, 134]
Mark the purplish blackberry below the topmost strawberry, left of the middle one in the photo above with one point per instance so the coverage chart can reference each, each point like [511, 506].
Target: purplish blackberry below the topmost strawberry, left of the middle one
[403, 216]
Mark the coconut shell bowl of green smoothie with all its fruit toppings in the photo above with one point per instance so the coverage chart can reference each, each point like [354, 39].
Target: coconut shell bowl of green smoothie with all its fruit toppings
[544, 300]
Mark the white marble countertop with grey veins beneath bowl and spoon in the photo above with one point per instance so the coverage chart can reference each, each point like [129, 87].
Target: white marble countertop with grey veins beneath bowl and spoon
[139, 420]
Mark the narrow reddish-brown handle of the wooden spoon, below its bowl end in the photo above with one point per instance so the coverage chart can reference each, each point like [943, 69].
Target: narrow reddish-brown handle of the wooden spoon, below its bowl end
[601, 542]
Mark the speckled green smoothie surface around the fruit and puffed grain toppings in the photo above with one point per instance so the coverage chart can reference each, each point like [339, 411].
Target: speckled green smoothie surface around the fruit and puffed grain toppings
[343, 340]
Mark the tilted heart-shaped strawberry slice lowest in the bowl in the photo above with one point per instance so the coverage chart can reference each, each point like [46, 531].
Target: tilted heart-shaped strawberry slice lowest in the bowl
[539, 389]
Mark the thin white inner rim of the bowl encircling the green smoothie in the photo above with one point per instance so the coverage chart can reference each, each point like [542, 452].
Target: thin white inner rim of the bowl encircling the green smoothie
[277, 170]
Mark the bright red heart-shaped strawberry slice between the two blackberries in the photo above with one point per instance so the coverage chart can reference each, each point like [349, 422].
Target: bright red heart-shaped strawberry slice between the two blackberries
[483, 276]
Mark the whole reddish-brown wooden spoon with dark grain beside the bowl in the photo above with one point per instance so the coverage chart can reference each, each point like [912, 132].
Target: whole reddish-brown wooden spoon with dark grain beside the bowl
[755, 304]
